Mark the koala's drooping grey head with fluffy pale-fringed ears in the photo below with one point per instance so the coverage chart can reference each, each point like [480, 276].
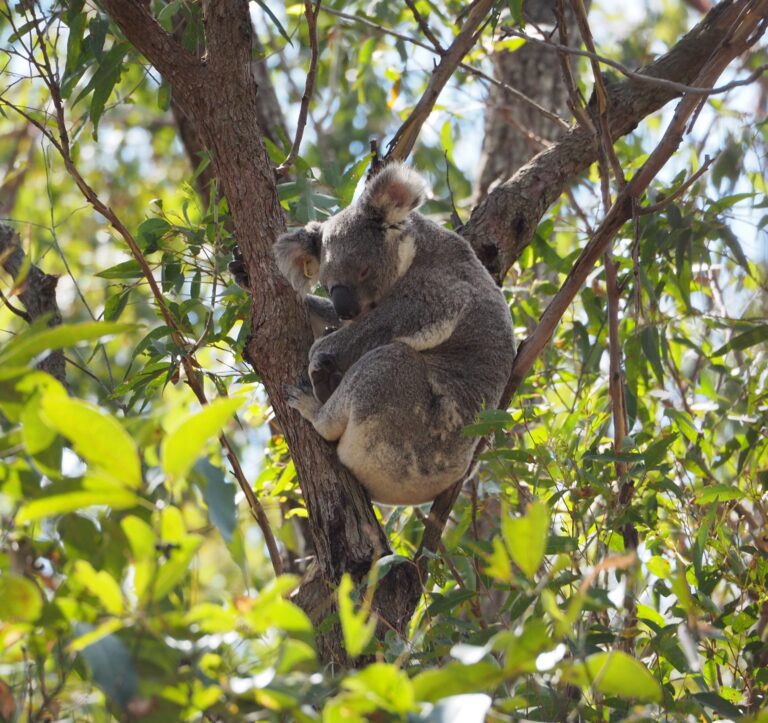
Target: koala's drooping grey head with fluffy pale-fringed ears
[359, 253]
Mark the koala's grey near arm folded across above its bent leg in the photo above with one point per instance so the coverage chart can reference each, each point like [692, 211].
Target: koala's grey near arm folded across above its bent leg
[420, 314]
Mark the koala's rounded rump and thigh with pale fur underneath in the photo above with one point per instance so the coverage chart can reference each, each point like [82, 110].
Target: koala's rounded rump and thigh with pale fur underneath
[403, 439]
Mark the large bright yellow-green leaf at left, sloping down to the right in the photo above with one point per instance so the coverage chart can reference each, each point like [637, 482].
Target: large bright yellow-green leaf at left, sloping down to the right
[96, 436]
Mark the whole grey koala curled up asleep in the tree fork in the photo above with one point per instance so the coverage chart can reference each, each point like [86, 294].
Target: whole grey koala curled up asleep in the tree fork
[424, 340]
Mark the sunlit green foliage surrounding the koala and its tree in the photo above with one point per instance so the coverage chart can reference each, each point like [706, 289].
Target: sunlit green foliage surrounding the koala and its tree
[134, 583]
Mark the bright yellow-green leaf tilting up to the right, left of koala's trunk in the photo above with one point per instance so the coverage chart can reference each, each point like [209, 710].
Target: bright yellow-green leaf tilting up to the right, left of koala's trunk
[181, 448]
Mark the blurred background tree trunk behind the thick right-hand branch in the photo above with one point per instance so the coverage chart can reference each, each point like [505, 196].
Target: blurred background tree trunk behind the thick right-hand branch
[514, 131]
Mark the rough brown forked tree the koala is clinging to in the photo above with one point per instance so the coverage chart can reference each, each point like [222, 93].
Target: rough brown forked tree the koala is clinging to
[219, 96]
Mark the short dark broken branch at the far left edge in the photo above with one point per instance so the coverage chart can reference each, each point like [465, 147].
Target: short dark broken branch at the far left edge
[38, 294]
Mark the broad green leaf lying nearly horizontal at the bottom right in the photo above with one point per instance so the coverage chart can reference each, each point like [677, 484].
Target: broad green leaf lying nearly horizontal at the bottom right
[615, 673]
